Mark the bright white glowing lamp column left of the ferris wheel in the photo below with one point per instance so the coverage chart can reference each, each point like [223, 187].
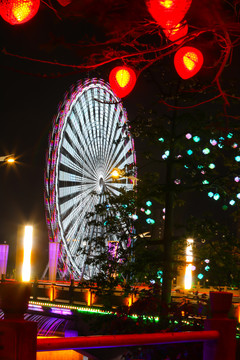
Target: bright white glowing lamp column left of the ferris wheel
[27, 249]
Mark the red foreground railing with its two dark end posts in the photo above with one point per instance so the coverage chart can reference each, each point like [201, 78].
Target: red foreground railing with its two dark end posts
[18, 340]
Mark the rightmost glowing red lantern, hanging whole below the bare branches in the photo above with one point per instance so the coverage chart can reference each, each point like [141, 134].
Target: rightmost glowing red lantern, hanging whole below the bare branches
[188, 61]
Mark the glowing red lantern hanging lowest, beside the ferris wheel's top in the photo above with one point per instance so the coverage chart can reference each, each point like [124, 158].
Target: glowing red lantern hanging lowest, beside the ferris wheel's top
[122, 80]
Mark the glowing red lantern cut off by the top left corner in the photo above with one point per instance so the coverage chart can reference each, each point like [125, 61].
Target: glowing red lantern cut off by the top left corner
[18, 11]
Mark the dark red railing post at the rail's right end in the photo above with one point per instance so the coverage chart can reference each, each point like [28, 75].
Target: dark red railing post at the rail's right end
[225, 348]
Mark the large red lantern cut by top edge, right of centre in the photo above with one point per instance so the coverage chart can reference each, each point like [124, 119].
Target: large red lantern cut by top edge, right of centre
[168, 13]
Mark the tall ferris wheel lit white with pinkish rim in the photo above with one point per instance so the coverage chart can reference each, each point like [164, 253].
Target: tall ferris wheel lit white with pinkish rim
[90, 138]
